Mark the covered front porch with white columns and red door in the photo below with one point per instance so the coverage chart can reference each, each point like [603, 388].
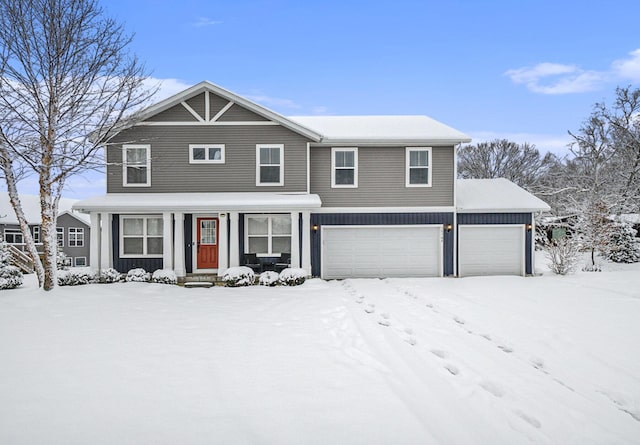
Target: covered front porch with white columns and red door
[199, 233]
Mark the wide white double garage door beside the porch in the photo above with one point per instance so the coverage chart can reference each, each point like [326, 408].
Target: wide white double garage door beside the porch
[381, 251]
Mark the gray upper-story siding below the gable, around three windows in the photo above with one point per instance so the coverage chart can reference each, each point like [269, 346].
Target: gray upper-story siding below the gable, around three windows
[171, 171]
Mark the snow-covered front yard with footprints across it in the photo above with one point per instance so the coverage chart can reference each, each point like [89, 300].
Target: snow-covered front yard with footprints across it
[495, 360]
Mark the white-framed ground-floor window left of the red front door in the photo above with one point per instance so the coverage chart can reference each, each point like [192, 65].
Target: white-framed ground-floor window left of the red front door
[141, 236]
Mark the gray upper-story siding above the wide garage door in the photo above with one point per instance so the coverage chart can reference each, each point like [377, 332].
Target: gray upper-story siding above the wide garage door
[381, 179]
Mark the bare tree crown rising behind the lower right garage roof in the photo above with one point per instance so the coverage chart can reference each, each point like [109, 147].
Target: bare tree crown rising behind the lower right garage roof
[501, 158]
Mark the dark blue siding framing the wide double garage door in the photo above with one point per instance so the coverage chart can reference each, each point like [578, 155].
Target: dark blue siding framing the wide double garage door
[379, 219]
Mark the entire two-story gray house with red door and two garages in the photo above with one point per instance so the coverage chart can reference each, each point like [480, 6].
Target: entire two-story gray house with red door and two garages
[208, 179]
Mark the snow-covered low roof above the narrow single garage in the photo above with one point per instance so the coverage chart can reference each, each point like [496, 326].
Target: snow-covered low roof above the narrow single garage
[496, 196]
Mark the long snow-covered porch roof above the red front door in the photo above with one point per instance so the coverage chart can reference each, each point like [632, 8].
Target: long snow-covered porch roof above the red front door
[198, 202]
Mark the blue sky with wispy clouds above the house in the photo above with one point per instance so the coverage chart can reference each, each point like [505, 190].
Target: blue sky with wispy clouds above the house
[526, 70]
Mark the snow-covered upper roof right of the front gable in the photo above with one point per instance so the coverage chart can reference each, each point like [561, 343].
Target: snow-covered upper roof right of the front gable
[382, 129]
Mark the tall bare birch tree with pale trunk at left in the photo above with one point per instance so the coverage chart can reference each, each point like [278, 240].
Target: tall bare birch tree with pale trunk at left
[66, 81]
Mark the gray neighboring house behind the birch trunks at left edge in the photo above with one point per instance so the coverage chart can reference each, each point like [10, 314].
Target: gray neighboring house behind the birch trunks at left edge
[73, 229]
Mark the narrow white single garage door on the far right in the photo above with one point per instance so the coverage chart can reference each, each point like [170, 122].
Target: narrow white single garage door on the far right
[490, 250]
